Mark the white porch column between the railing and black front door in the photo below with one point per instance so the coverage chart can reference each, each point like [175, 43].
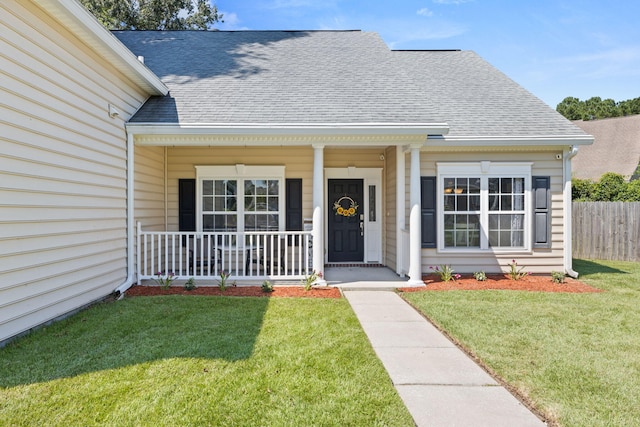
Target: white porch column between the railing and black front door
[318, 211]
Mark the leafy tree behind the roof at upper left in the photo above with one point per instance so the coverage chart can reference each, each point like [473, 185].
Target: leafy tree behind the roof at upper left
[154, 14]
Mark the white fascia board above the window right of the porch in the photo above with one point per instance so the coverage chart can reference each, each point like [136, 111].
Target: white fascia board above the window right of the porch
[505, 141]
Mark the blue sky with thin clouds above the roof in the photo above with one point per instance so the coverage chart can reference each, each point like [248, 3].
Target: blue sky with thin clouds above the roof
[554, 49]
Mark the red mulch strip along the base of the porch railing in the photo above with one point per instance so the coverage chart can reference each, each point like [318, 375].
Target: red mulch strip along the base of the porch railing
[234, 291]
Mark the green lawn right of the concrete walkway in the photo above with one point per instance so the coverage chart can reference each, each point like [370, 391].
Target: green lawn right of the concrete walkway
[576, 356]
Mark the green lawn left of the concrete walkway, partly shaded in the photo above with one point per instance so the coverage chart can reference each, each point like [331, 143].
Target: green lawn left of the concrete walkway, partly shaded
[222, 361]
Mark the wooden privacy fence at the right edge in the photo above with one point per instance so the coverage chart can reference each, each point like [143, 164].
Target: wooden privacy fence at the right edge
[606, 230]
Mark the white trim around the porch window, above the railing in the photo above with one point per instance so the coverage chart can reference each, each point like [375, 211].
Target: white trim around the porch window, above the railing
[240, 172]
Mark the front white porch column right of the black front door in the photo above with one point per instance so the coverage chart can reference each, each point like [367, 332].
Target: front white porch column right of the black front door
[415, 245]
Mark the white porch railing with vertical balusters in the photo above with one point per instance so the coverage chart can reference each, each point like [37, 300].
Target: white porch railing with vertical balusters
[248, 255]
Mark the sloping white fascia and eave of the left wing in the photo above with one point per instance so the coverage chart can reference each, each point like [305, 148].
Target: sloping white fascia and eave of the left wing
[73, 16]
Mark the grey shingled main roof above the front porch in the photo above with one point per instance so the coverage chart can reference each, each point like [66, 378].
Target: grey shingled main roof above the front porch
[277, 77]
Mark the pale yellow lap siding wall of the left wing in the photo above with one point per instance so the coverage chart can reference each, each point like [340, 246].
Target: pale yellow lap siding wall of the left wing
[62, 171]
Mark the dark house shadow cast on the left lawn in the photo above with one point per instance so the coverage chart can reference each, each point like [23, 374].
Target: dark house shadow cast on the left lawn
[135, 331]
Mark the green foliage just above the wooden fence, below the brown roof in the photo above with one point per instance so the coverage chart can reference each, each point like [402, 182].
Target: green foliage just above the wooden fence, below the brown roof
[610, 188]
